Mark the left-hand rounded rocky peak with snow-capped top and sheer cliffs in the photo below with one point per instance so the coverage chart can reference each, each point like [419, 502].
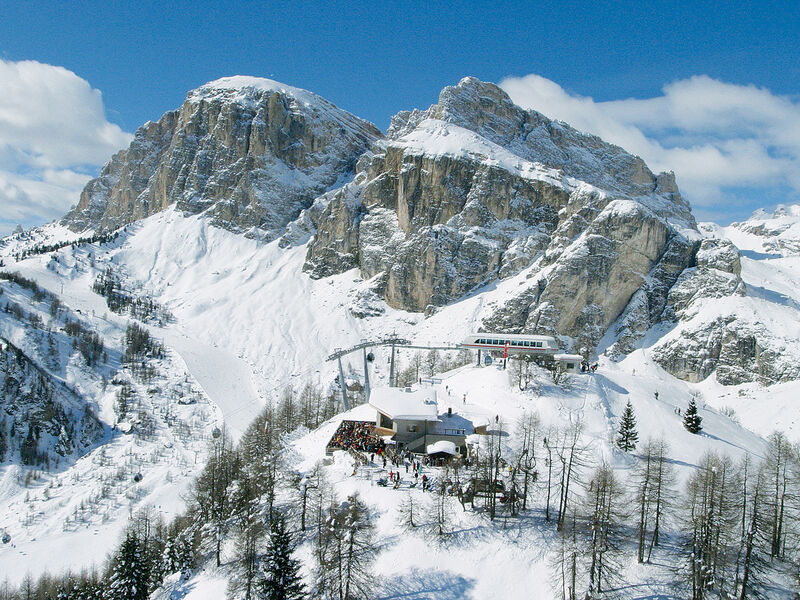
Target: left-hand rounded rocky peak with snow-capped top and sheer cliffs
[250, 153]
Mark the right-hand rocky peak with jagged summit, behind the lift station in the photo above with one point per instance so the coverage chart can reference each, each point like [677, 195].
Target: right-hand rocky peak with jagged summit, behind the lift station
[476, 188]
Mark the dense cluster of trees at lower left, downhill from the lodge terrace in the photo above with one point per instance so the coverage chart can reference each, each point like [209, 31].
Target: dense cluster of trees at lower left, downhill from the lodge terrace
[246, 492]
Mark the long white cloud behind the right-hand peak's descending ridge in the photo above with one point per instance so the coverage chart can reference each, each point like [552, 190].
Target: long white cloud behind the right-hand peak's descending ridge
[716, 136]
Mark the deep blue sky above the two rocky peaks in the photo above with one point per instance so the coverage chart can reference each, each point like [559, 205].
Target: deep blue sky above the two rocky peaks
[375, 59]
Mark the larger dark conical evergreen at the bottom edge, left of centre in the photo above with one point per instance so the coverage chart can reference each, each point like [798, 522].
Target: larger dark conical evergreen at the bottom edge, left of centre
[281, 578]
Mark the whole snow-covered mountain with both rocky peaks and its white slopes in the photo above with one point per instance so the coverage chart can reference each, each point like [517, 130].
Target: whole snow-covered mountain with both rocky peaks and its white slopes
[259, 227]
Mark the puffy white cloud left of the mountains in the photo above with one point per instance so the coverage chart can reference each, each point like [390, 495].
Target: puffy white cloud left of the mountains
[53, 132]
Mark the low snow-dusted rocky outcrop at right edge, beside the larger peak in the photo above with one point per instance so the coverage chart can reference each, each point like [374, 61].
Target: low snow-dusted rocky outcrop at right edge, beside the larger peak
[720, 326]
